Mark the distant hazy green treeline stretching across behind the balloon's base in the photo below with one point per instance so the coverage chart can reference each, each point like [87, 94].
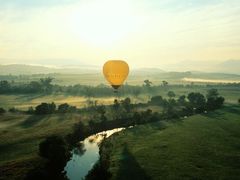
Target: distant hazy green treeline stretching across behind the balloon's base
[44, 85]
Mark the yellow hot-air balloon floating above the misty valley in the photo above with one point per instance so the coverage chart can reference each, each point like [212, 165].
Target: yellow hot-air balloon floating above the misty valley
[116, 72]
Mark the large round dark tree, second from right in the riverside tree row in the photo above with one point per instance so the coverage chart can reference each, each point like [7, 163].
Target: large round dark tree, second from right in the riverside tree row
[197, 101]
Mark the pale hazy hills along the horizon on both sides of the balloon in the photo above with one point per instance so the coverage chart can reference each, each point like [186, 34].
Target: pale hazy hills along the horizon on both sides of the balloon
[228, 69]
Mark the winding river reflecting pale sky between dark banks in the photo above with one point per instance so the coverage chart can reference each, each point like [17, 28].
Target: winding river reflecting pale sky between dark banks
[86, 155]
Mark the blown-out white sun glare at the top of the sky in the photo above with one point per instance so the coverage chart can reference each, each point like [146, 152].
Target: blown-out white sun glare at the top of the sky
[102, 22]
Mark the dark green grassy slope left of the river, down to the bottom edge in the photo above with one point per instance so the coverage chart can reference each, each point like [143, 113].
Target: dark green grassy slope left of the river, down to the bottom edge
[20, 135]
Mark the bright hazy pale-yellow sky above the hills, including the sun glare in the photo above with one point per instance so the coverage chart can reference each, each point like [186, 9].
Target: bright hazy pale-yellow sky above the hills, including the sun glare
[146, 33]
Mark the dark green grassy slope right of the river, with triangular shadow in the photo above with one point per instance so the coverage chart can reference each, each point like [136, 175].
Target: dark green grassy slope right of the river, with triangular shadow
[202, 146]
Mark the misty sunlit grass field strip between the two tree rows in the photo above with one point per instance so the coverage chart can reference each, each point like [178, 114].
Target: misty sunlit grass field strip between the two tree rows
[23, 102]
